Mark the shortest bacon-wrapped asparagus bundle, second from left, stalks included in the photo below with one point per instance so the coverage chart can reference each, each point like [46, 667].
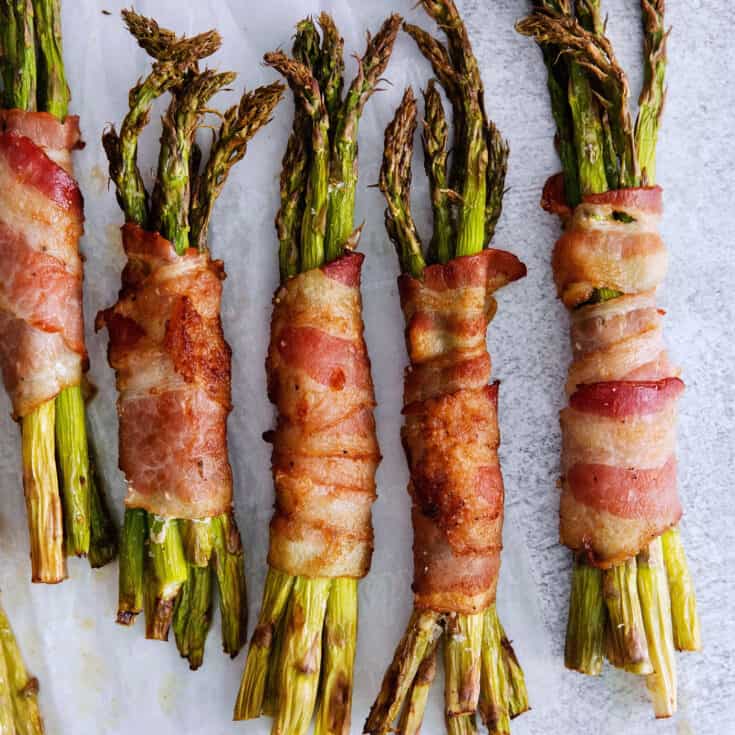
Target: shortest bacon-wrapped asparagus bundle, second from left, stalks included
[171, 359]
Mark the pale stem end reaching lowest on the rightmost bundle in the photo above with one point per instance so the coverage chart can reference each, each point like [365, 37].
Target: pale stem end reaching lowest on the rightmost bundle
[654, 594]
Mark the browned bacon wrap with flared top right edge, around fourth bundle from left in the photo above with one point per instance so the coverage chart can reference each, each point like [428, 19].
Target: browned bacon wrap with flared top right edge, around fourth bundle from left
[451, 432]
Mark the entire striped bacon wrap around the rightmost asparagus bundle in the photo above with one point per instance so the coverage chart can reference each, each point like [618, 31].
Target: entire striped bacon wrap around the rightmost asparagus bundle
[619, 488]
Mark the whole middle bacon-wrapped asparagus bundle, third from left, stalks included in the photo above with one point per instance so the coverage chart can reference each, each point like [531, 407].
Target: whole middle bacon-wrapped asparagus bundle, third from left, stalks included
[324, 448]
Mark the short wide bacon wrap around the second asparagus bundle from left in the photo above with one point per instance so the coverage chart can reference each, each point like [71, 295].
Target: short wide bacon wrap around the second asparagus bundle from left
[173, 377]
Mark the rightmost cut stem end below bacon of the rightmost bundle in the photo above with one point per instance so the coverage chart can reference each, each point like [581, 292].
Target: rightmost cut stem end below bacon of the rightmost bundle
[684, 616]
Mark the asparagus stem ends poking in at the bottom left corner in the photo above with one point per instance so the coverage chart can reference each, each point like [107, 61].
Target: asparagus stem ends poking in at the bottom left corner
[19, 712]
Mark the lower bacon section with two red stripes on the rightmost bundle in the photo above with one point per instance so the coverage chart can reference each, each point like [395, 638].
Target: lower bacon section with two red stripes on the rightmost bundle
[619, 487]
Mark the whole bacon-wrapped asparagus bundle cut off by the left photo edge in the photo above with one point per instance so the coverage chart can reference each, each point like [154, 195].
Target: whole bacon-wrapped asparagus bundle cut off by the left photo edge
[42, 350]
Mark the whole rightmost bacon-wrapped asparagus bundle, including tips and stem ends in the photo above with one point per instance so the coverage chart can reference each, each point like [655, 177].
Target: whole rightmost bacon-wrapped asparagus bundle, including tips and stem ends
[632, 596]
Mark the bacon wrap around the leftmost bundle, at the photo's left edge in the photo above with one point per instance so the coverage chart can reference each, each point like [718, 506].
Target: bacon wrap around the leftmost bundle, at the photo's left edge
[41, 220]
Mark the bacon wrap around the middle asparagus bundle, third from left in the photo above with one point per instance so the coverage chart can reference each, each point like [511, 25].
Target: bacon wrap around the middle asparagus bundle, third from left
[325, 451]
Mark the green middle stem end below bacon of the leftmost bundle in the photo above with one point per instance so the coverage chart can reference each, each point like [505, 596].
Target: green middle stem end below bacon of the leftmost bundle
[71, 447]
